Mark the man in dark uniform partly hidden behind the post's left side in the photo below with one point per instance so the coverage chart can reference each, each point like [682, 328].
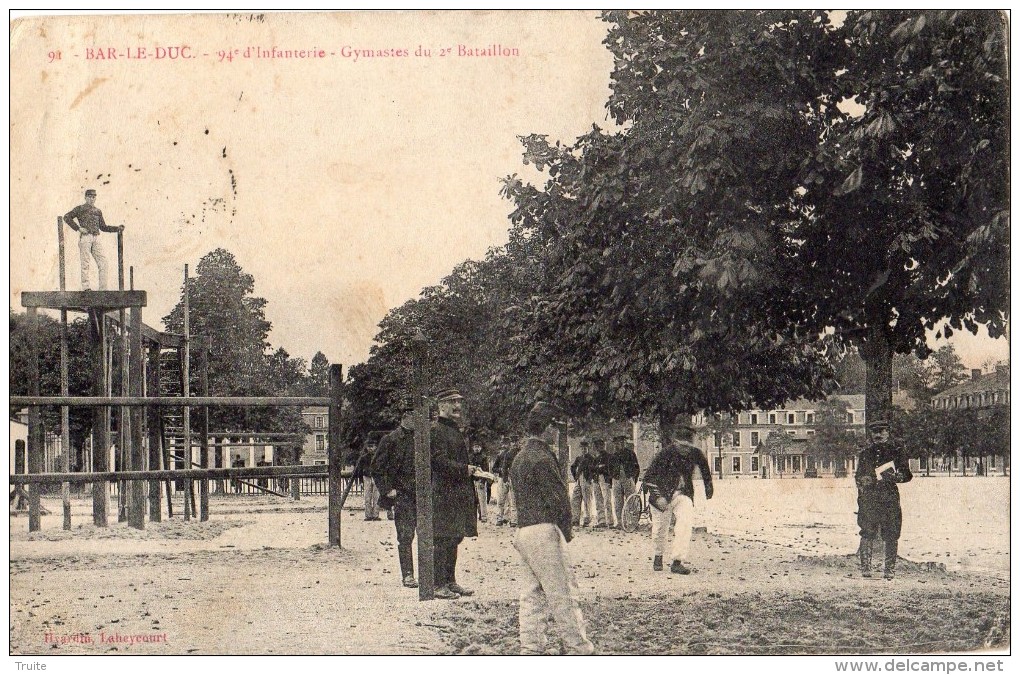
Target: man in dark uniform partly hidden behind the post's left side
[393, 468]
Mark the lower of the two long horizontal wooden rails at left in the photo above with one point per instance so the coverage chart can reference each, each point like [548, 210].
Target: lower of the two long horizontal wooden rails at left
[294, 472]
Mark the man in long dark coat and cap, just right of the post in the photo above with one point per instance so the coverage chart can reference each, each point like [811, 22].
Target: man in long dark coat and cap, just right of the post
[453, 494]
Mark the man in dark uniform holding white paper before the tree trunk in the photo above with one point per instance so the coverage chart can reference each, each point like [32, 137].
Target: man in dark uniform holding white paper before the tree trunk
[881, 468]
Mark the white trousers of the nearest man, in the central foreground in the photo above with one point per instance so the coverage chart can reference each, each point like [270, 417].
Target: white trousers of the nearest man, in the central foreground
[548, 590]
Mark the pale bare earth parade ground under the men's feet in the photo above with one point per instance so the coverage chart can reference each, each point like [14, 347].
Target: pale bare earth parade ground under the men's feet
[775, 575]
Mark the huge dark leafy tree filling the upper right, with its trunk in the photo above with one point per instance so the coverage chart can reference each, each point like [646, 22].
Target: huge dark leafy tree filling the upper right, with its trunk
[744, 221]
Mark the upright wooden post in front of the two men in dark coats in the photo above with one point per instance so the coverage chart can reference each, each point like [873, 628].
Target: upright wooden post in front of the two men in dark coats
[424, 478]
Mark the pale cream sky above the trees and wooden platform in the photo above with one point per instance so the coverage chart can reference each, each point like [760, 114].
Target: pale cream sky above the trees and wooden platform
[343, 184]
